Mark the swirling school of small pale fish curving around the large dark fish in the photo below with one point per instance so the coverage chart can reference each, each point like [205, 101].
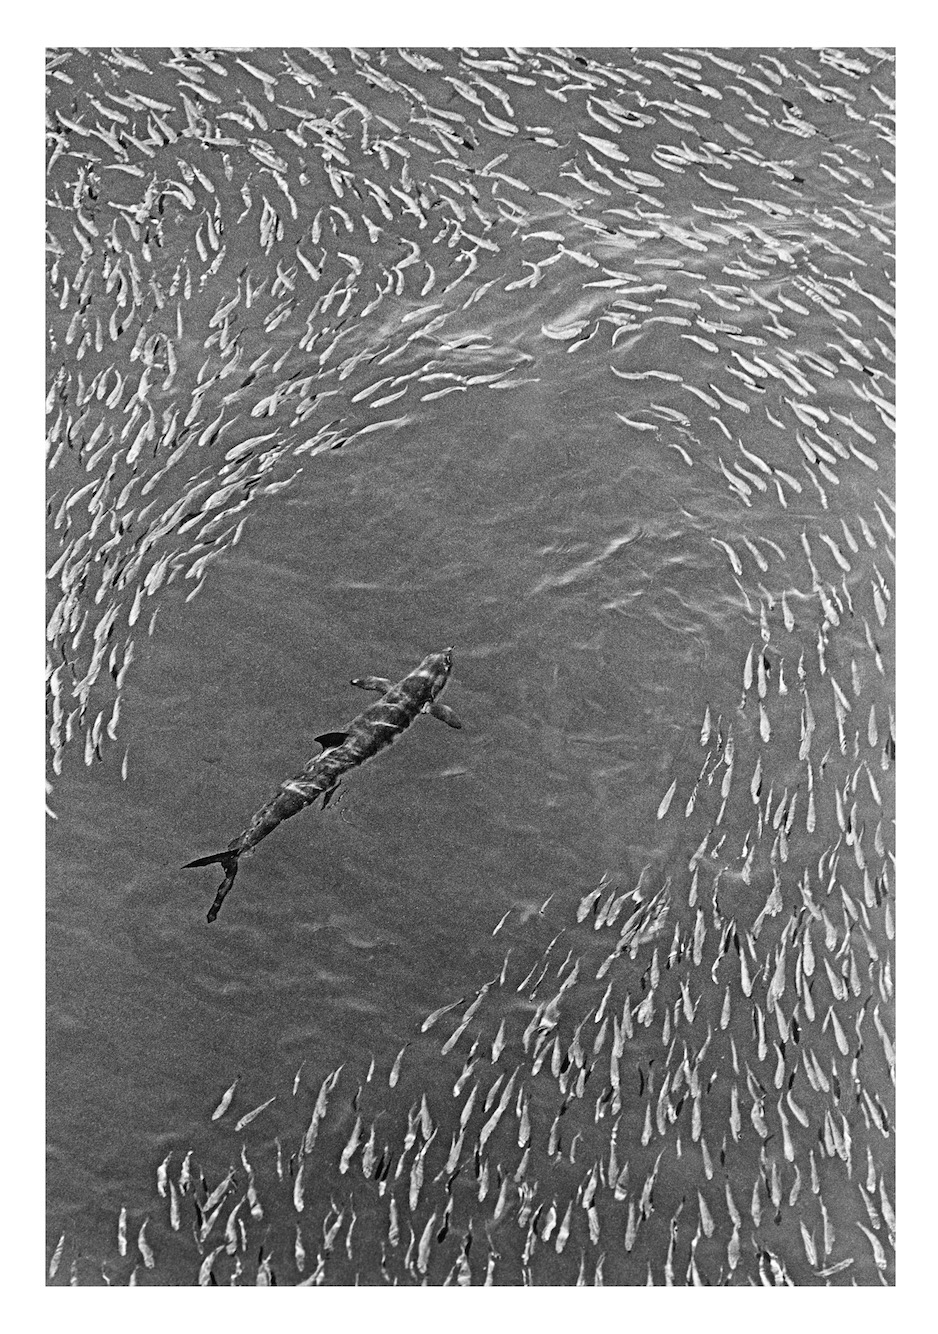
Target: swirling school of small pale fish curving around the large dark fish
[690, 1083]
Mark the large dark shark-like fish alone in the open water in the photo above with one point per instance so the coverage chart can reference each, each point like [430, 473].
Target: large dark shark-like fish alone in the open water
[369, 733]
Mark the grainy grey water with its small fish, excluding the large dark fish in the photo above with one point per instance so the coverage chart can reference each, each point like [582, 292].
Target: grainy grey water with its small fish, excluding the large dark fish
[577, 361]
